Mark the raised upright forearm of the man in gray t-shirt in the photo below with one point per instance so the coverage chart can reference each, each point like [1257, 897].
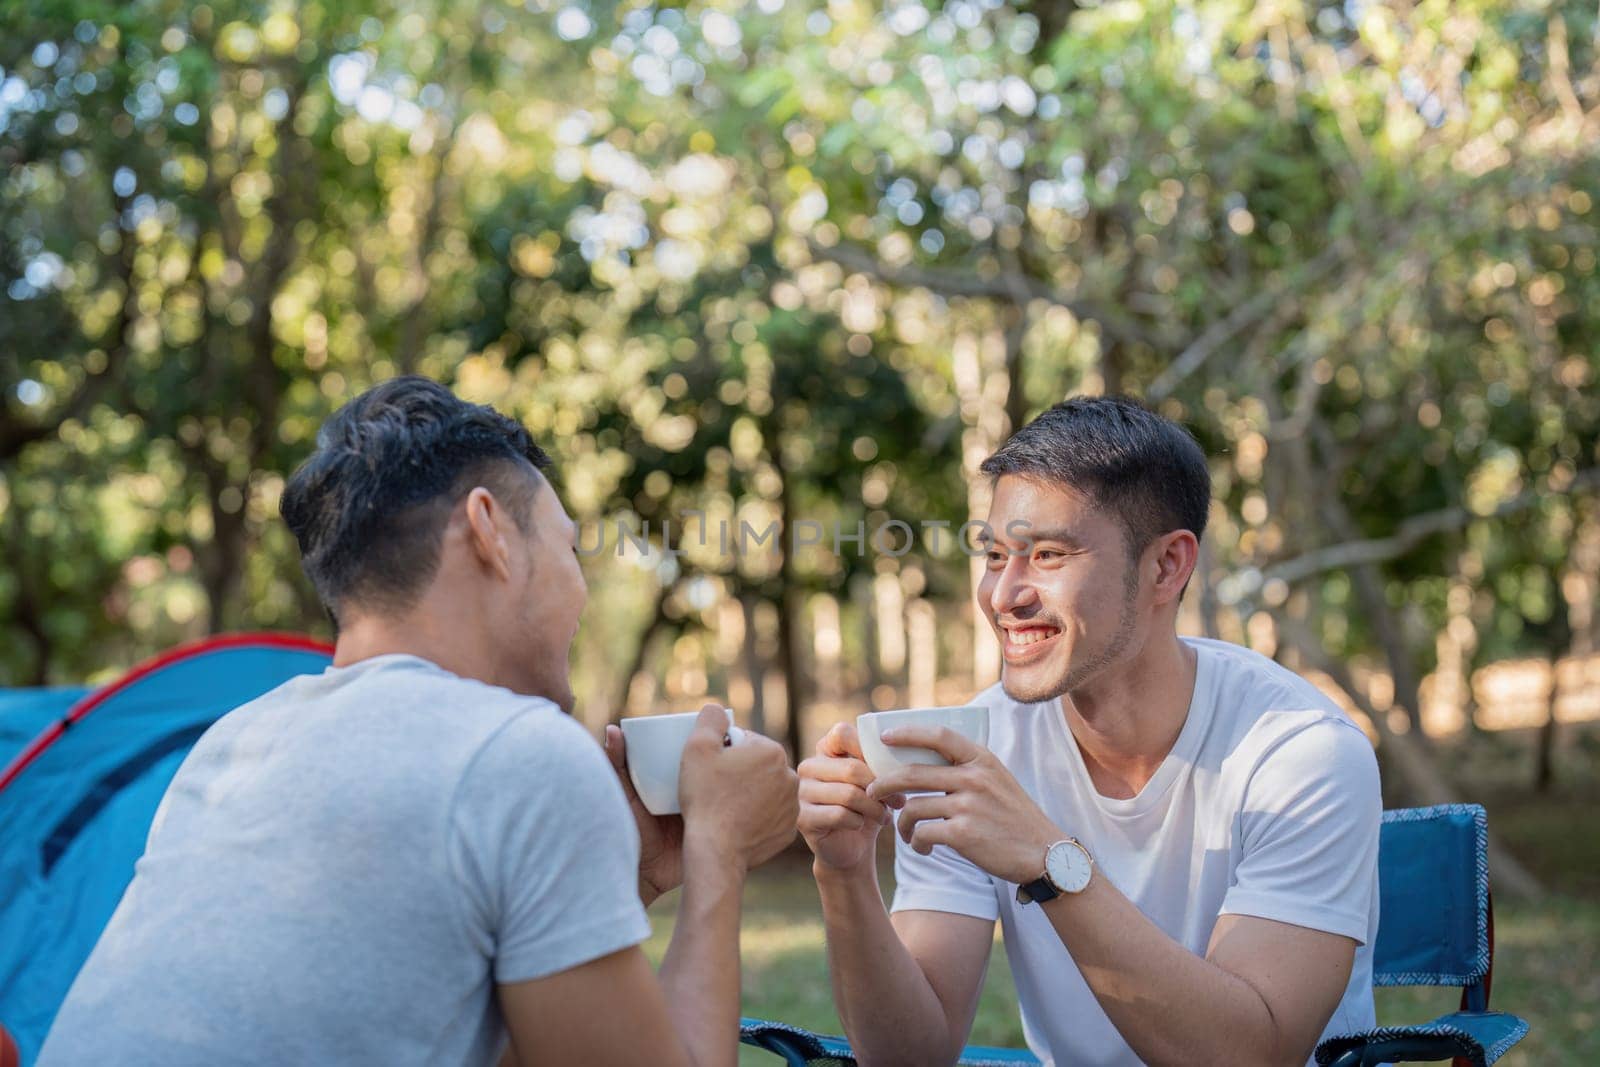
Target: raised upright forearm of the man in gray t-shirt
[700, 973]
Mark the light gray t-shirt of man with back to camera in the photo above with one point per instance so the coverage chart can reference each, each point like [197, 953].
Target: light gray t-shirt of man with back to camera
[343, 869]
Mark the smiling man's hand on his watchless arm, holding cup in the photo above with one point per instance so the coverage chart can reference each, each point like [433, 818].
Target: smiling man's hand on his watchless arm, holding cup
[839, 820]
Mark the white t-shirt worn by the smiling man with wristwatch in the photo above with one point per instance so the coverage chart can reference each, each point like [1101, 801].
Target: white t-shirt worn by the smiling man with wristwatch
[1268, 805]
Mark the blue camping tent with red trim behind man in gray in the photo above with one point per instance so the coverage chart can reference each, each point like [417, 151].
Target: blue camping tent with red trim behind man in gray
[78, 801]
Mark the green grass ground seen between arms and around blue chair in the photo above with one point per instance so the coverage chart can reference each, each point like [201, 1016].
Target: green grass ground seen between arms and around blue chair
[1546, 970]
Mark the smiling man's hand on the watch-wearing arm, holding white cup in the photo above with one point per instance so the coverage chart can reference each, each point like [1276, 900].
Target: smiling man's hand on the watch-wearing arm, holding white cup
[978, 809]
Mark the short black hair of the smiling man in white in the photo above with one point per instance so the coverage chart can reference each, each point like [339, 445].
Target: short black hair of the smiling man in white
[1146, 470]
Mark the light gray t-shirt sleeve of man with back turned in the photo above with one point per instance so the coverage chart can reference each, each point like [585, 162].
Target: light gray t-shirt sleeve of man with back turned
[546, 850]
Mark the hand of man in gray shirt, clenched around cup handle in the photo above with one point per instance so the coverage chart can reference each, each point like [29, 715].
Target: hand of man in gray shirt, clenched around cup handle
[738, 801]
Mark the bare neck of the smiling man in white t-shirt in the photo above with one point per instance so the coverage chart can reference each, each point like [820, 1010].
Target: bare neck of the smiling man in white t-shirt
[1129, 719]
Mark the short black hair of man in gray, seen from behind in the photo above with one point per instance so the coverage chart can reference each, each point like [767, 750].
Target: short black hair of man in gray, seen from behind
[370, 506]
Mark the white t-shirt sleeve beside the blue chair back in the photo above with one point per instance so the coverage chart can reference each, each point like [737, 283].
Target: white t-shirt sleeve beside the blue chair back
[1310, 833]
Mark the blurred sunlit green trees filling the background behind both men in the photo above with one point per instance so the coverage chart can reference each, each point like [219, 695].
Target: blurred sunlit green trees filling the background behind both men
[753, 263]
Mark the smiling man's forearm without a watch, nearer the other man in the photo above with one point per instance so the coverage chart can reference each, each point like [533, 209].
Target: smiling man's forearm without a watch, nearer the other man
[890, 1012]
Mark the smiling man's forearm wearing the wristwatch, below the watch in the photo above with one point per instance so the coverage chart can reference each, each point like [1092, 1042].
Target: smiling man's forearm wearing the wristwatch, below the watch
[1169, 1004]
